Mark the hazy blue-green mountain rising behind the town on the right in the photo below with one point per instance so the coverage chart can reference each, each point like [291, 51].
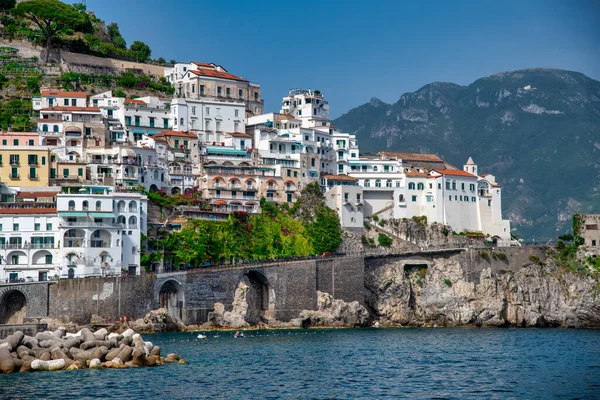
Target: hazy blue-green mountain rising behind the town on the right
[536, 130]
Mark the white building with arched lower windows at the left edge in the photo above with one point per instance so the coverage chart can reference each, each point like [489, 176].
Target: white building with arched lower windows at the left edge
[29, 237]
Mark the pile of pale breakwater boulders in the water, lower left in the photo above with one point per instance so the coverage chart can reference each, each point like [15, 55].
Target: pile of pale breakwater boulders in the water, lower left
[58, 350]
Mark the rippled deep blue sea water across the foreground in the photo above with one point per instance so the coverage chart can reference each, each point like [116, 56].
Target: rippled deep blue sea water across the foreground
[348, 363]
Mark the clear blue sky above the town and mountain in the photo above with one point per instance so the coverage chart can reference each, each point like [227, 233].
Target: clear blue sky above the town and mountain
[355, 50]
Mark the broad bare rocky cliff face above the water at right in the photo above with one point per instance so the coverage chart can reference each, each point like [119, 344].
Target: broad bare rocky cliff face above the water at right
[447, 294]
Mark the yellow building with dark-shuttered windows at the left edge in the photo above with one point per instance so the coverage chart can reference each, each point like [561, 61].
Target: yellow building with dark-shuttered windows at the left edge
[24, 166]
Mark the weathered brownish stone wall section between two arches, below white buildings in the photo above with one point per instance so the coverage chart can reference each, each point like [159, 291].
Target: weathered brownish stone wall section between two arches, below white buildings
[76, 300]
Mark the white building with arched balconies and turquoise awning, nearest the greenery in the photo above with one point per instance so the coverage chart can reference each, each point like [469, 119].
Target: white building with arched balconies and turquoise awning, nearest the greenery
[101, 232]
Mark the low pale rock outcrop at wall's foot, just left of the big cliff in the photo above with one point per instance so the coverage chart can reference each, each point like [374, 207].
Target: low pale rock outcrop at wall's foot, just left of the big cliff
[333, 312]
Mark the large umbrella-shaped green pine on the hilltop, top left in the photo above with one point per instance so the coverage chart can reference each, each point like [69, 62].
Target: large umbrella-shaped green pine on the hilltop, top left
[51, 16]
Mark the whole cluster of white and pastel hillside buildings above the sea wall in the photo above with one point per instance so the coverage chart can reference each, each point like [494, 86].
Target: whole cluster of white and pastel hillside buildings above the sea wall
[73, 193]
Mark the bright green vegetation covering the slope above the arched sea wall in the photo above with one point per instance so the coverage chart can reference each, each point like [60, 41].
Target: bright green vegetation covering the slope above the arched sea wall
[280, 231]
